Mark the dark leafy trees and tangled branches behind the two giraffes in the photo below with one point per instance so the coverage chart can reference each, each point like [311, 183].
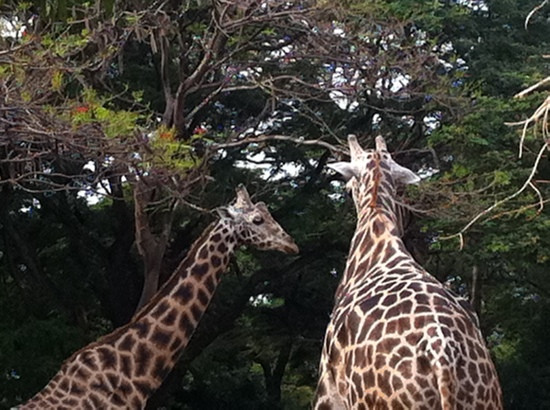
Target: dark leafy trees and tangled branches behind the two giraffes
[122, 123]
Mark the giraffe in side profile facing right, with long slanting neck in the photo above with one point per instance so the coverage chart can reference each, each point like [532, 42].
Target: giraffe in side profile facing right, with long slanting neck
[123, 368]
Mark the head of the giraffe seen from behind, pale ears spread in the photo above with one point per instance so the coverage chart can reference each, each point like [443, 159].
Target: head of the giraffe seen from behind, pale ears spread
[368, 168]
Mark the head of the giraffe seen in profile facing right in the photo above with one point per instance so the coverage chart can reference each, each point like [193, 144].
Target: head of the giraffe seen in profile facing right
[254, 225]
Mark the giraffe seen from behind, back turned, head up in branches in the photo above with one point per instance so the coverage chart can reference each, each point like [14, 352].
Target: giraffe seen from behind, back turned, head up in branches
[397, 339]
